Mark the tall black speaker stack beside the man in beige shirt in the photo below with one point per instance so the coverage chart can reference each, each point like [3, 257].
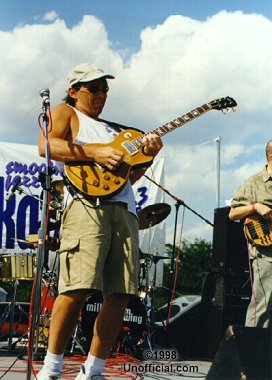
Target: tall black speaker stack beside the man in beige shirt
[229, 279]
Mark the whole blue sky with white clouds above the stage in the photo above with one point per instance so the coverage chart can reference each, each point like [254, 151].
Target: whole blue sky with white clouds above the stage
[168, 57]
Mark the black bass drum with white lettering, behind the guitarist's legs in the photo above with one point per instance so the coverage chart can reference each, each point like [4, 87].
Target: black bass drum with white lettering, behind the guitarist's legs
[134, 322]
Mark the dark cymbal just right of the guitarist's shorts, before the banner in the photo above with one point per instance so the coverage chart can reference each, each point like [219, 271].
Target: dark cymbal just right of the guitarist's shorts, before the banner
[153, 214]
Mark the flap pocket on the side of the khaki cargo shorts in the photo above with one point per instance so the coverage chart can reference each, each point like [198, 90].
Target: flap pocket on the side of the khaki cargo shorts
[70, 268]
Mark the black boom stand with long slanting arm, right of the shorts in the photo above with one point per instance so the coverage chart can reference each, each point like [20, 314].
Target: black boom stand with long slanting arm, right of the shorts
[179, 202]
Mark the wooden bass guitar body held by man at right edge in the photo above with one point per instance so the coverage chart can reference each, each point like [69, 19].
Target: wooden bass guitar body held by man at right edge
[258, 230]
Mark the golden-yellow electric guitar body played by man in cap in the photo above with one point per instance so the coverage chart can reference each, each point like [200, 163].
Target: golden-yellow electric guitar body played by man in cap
[97, 181]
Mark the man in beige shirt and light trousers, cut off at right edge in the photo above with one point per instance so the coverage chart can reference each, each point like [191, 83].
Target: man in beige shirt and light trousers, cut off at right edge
[253, 201]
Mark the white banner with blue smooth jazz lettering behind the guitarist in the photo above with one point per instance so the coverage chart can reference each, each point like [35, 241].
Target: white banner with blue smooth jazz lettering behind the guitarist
[21, 170]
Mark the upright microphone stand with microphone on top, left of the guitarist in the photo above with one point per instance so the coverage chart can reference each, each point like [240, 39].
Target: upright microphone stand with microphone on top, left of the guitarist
[34, 316]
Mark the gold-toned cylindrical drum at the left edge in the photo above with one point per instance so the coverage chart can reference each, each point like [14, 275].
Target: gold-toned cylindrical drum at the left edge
[18, 266]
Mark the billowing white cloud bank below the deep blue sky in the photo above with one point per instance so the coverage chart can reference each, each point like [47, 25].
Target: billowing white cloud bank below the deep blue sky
[182, 64]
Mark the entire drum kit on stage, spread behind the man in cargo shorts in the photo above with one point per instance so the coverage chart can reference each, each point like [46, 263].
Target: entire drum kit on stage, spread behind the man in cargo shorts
[137, 330]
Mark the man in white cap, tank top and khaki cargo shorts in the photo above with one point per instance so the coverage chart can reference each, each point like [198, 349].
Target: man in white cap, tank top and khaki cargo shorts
[99, 237]
